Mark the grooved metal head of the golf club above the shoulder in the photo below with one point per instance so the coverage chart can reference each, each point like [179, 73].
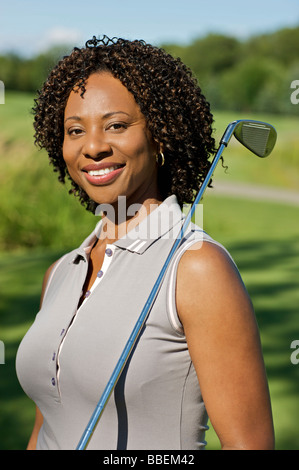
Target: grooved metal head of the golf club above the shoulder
[258, 137]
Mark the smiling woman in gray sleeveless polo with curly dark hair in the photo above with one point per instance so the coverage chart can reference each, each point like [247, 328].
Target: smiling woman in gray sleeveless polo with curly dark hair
[130, 127]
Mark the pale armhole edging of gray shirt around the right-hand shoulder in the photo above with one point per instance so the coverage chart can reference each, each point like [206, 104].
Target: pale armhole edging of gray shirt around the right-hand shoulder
[171, 288]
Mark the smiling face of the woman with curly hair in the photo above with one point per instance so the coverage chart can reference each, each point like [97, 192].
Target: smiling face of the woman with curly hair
[108, 150]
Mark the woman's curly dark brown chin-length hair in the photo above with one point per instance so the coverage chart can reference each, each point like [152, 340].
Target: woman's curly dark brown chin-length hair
[177, 113]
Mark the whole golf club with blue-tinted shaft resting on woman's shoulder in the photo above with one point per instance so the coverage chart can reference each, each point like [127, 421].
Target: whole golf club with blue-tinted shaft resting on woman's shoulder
[259, 138]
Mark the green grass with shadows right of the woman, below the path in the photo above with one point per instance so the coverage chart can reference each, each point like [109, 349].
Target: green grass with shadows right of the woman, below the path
[263, 238]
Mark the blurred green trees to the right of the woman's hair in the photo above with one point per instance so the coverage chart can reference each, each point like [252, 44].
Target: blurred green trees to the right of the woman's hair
[250, 75]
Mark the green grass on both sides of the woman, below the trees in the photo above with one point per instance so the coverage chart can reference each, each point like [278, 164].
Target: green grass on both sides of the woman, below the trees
[263, 237]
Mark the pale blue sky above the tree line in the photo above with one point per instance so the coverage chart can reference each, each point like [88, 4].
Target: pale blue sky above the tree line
[31, 26]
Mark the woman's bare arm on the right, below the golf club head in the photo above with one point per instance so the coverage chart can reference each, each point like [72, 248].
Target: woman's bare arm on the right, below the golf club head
[224, 344]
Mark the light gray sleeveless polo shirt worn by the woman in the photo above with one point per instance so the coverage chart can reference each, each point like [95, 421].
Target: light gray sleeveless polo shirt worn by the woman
[68, 354]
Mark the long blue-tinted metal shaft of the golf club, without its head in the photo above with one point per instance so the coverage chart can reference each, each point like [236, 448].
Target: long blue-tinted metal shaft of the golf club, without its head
[147, 307]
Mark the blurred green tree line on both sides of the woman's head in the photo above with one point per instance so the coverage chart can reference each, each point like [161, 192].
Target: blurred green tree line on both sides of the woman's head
[252, 75]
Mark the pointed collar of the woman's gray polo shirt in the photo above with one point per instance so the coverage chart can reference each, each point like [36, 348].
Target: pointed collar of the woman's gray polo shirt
[160, 223]
